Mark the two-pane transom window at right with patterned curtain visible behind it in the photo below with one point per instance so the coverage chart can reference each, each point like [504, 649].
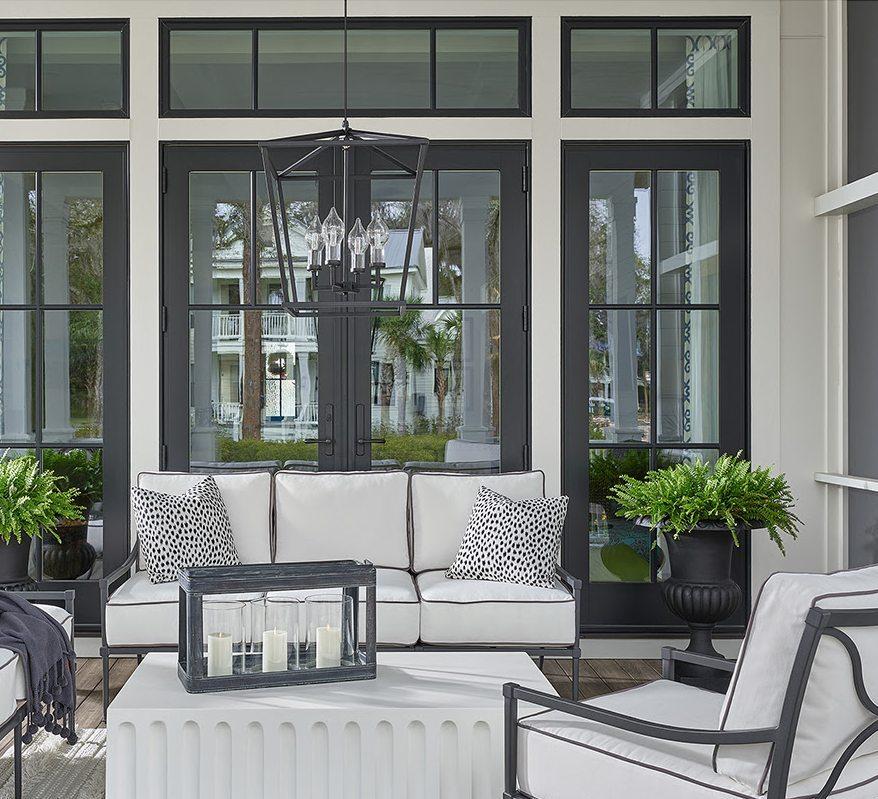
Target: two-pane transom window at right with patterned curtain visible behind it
[666, 67]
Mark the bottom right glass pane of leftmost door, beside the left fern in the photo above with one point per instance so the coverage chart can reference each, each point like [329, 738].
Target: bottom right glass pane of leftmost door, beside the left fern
[79, 553]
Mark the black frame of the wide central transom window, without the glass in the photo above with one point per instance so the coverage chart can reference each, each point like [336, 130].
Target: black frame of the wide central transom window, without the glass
[431, 24]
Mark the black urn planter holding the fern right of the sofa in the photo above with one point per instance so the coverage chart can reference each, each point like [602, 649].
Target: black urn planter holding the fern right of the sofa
[701, 590]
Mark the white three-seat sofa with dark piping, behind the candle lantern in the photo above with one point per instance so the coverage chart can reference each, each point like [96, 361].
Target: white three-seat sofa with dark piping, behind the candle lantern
[409, 526]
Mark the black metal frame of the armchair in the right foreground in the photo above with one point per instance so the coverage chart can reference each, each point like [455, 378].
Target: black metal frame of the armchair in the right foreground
[818, 623]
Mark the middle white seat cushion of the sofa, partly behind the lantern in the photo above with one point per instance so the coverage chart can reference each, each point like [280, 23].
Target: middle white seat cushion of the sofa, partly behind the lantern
[397, 611]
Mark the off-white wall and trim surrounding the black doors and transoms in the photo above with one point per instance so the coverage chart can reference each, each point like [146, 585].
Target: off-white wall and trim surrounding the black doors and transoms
[797, 266]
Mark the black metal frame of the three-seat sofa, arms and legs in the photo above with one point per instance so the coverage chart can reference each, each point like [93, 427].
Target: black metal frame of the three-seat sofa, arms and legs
[573, 651]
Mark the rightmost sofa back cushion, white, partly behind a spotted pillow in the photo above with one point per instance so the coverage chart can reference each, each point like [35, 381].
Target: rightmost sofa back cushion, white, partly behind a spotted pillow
[441, 505]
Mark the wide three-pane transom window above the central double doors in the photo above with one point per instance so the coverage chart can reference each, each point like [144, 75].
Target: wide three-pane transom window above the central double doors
[413, 67]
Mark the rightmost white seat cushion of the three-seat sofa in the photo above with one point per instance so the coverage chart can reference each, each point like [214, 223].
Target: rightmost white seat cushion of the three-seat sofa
[486, 612]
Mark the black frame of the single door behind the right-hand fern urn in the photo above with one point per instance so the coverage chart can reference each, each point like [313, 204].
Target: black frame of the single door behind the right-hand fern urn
[629, 608]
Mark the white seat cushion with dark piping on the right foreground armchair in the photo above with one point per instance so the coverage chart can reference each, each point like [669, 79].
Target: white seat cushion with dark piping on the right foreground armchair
[564, 757]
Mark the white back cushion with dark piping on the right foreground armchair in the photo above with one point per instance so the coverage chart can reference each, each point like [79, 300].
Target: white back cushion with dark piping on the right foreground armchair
[831, 714]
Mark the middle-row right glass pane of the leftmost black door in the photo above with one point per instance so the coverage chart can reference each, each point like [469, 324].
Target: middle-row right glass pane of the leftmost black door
[73, 375]
